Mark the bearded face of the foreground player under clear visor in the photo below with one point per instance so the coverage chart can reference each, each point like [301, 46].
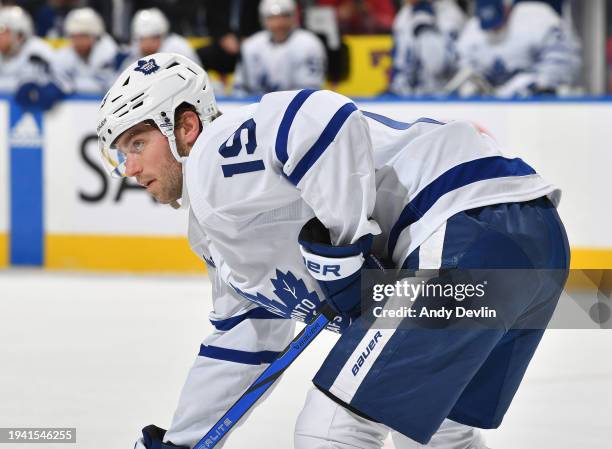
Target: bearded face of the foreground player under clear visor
[150, 161]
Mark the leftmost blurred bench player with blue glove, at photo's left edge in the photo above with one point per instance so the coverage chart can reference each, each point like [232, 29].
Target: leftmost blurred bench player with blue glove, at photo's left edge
[27, 63]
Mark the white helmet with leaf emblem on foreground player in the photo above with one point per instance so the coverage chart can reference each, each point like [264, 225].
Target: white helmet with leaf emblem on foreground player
[151, 89]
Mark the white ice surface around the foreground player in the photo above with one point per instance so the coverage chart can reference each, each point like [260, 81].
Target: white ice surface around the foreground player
[108, 355]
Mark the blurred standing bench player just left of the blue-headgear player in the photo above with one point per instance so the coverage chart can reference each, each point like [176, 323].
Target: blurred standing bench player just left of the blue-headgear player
[424, 56]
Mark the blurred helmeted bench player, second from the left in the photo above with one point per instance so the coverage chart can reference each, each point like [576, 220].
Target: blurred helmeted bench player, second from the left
[90, 58]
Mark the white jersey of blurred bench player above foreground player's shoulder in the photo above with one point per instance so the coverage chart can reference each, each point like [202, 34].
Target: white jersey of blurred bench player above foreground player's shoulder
[265, 66]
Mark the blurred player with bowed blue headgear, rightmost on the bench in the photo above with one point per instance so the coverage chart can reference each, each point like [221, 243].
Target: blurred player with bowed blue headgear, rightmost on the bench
[516, 51]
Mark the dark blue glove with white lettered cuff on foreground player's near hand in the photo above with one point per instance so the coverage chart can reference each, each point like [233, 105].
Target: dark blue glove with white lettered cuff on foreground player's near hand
[337, 268]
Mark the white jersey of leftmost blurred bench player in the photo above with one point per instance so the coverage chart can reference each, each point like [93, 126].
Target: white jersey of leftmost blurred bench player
[34, 62]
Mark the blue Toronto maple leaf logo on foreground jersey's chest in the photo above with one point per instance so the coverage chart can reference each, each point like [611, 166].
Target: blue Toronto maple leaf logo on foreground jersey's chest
[294, 300]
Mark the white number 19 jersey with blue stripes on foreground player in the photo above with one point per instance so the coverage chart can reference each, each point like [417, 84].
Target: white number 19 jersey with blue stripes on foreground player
[257, 174]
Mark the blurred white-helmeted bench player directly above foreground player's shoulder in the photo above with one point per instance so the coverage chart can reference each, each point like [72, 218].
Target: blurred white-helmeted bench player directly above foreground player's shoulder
[282, 56]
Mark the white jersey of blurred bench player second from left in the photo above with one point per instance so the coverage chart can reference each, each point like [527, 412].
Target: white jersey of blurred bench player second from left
[94, 75]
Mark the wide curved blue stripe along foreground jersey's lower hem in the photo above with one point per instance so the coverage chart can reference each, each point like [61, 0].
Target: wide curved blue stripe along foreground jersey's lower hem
[455, 178]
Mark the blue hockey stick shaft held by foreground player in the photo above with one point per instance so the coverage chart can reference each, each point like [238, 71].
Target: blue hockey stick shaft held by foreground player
[266, 379]
